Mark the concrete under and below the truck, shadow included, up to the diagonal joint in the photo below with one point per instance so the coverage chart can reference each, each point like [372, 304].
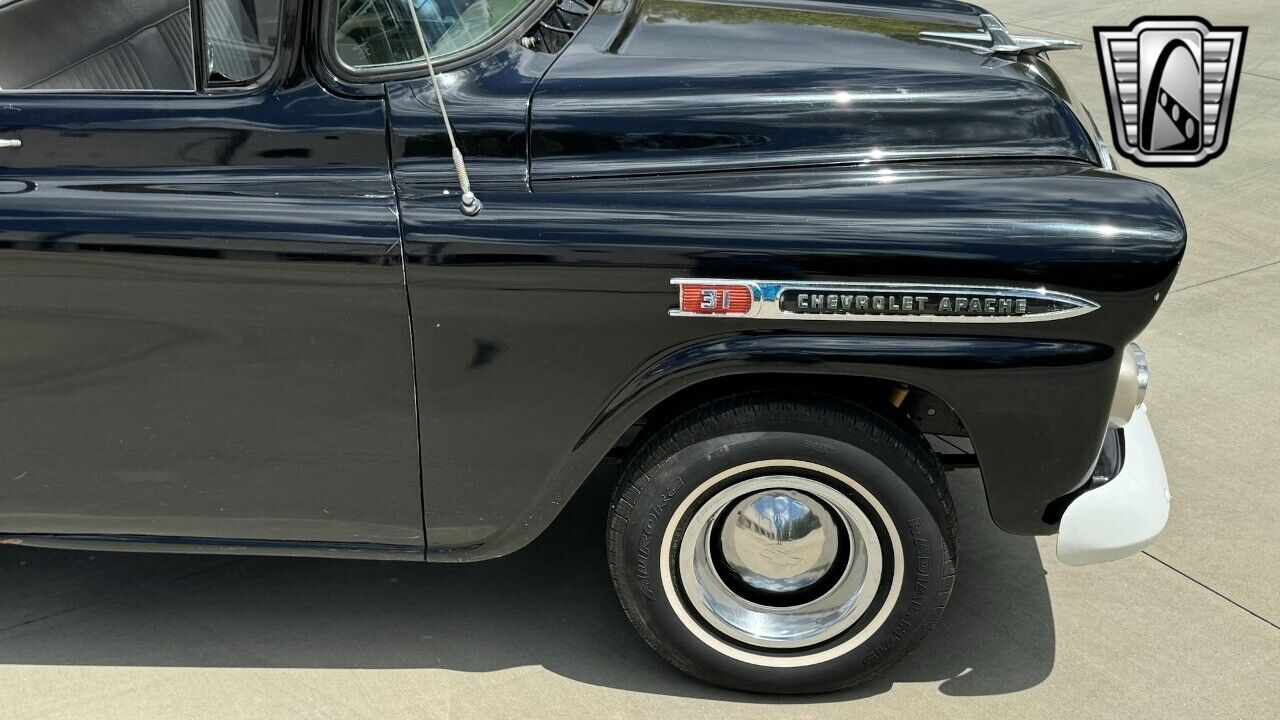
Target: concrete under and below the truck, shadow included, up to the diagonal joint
[540, 635]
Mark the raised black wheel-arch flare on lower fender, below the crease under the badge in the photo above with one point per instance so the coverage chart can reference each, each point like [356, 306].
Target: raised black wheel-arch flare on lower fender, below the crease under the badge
[1036, 409]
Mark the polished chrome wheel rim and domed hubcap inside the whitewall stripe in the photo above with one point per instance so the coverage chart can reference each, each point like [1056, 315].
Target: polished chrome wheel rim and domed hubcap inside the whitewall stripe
[780, 562]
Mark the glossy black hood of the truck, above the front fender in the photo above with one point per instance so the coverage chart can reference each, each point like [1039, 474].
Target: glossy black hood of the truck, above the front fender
[656, 86]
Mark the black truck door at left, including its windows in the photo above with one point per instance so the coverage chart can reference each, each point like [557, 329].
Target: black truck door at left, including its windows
[204, 329]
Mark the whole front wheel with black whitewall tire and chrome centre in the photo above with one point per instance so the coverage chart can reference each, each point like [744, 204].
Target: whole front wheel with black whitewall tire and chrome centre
[783, 545]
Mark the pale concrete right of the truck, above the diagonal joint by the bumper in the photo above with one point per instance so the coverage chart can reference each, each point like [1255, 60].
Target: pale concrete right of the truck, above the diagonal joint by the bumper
[1214, 347]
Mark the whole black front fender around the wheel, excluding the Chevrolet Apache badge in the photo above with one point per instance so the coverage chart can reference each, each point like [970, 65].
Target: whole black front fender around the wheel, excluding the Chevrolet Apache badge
[543, 329]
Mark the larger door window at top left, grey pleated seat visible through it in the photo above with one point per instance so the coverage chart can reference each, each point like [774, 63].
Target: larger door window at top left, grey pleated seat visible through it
[97, 45]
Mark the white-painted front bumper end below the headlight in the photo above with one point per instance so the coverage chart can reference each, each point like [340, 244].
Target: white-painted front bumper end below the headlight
[1124, 516]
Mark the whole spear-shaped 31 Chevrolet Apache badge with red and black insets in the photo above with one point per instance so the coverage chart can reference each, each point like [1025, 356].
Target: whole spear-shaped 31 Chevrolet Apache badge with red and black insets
[899, 303]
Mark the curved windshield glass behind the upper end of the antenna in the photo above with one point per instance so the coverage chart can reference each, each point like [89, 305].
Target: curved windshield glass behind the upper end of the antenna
[373, 34]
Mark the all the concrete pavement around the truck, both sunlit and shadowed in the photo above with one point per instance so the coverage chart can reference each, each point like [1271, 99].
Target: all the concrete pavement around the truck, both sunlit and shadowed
[1187, 630]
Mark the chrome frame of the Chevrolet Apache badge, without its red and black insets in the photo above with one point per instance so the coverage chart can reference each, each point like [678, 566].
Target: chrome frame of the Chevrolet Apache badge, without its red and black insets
[767, 297]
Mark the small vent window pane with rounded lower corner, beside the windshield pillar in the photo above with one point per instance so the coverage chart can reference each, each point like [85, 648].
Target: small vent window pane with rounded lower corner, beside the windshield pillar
[241, 39]
